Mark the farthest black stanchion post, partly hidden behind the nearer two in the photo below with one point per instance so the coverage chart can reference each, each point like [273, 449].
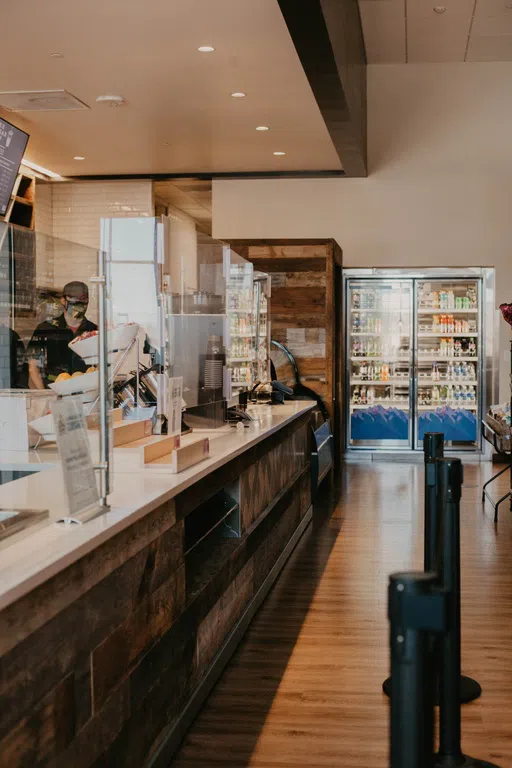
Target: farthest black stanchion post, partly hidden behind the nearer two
[433, 449]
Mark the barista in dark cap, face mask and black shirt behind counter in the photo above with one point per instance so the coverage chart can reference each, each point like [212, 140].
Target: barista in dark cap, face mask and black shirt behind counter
[48, 352]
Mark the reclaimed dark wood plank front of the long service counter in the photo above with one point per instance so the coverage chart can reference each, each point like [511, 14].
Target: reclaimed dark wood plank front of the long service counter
[114, 677]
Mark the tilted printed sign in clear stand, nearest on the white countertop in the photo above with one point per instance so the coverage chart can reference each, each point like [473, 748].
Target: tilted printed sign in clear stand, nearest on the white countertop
[75, 454]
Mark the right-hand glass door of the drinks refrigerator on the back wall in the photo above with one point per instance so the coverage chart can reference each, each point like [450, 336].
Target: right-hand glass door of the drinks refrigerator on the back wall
[448, 368]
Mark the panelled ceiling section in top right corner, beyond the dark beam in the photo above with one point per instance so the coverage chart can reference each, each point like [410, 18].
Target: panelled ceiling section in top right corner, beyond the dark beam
[411, 30]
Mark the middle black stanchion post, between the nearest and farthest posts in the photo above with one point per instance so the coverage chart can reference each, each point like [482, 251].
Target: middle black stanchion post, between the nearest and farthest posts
[450, 752]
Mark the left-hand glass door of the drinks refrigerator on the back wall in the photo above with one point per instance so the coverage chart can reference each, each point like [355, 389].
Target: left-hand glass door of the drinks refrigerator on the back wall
[379, 342]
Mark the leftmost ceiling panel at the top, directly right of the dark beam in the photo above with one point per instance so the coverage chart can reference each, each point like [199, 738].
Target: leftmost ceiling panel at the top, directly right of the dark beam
[384, 30]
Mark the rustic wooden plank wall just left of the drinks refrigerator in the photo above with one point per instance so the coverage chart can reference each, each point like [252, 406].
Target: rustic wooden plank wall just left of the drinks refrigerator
[302, 309]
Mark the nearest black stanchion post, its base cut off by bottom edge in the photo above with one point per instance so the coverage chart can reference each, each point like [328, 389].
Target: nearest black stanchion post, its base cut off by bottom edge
[415, 608]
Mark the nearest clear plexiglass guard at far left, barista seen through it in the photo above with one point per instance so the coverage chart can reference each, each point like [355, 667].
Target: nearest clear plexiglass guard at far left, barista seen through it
[52, 329]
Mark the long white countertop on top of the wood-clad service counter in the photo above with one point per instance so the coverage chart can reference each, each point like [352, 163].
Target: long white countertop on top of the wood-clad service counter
[29, 558]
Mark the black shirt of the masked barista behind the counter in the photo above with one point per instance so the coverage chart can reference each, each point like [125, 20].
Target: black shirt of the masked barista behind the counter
[49, 346]
